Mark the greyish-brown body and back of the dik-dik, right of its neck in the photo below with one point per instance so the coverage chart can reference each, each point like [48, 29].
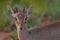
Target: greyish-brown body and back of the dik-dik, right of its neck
[49, 32]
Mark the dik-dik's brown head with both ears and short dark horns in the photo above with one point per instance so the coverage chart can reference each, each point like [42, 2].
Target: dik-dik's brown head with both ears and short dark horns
[20, 16]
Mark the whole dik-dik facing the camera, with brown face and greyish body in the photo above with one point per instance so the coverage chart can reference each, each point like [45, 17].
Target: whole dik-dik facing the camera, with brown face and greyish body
[51, 32]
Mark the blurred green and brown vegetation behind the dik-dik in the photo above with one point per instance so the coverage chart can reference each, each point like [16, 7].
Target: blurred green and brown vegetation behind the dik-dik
[44, 11]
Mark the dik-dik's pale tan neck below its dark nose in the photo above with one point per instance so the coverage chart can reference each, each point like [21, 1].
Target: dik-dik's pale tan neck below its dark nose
[22, 34]
